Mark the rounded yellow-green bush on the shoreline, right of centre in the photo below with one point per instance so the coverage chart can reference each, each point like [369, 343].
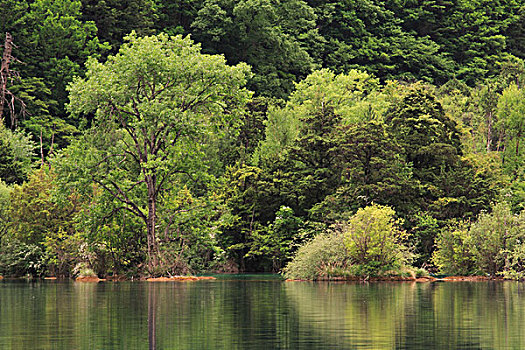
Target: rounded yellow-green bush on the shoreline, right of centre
[369, 244]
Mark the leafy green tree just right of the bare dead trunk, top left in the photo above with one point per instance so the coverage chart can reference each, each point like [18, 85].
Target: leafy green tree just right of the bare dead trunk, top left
[54, 45]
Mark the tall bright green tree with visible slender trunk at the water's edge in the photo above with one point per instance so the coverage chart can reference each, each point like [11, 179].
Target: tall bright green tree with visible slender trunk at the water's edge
[158, 109]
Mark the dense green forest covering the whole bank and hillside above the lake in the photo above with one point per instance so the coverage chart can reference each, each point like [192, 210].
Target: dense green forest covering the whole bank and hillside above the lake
[313, 137]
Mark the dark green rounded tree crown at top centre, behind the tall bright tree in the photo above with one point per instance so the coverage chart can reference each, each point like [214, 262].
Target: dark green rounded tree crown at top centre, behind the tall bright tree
[267, 35]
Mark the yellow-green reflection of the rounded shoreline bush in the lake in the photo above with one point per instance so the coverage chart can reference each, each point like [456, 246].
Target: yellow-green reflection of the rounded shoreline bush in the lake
[353, 315]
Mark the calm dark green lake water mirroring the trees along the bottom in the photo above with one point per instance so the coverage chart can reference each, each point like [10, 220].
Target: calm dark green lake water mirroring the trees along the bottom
[261, 314]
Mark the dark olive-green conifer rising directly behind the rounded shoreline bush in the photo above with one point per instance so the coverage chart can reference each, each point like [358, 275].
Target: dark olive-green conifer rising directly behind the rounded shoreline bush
[373, 170]
